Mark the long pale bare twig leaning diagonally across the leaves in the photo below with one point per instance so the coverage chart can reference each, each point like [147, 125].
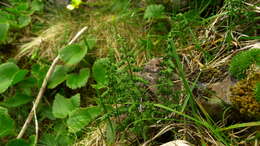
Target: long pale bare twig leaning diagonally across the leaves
[43, 87]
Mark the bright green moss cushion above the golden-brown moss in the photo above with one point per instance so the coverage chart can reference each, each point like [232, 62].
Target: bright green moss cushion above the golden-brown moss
[242, 61]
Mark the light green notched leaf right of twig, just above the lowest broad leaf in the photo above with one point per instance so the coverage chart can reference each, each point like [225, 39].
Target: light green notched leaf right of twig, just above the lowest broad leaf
[63, 106]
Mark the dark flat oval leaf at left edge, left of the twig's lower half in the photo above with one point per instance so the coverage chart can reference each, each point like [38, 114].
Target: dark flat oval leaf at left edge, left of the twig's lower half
[17, 100]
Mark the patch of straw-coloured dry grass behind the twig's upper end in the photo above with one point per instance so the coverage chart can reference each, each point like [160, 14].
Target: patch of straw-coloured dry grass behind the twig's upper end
[107, 28]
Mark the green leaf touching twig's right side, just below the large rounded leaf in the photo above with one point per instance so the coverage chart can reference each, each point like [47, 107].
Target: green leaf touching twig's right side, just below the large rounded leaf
[58, 76]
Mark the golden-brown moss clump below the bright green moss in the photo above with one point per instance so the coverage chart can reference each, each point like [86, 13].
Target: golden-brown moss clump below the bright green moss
[243, 95]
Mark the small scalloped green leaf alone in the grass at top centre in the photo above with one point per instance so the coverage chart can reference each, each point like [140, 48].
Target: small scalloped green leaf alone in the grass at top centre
[154, 11]
